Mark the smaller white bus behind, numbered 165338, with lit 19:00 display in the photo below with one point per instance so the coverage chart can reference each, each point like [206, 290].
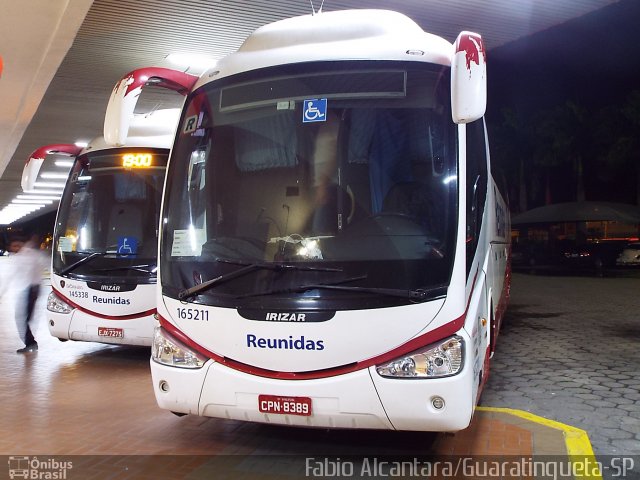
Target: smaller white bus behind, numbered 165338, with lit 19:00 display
[104, 263]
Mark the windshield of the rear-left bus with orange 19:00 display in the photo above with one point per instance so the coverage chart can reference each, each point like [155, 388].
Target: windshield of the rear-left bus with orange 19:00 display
[107, 225]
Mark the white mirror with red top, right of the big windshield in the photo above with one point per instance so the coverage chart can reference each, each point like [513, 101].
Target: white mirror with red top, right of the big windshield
[468, 78]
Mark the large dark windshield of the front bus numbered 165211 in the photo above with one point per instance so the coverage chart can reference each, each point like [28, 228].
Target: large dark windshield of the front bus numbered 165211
[296, 183]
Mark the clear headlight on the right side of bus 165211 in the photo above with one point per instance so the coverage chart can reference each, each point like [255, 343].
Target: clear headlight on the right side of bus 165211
[440, 359]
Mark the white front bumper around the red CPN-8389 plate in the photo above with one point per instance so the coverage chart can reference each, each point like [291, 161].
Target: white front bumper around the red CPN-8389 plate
[360, 399]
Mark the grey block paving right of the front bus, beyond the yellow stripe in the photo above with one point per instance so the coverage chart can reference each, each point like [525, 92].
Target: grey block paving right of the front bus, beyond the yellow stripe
[569, 350]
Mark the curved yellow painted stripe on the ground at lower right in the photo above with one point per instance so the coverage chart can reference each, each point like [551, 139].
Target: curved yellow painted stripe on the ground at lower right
[576, 439]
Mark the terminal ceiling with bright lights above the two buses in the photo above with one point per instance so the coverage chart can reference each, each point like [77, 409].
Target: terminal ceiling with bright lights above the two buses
[62, 57]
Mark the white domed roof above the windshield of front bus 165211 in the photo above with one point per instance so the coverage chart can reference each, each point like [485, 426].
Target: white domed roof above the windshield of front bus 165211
[341, 35]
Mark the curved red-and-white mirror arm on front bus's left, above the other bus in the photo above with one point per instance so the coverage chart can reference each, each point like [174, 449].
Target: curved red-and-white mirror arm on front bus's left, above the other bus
[125, 94]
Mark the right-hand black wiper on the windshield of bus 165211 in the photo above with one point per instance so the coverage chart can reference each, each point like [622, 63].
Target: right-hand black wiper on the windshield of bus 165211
[416, 295]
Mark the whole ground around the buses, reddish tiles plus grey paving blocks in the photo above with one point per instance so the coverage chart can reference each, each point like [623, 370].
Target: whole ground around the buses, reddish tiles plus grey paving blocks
[94, 403]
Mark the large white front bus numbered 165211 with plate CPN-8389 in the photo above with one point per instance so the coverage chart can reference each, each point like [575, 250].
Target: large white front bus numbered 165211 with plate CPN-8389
[334, 250]
